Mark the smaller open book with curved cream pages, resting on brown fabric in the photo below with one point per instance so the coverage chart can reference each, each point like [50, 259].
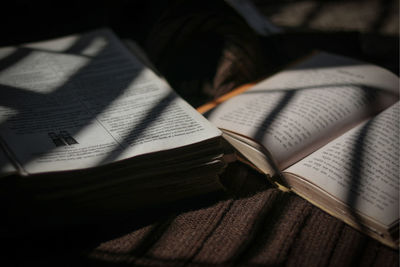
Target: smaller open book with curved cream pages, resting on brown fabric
[328, 129]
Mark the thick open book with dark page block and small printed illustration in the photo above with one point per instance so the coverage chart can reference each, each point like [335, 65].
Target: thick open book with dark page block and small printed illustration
[87, 128]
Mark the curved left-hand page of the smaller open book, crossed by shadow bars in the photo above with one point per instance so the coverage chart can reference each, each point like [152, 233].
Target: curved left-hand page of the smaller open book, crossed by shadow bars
[296, 111]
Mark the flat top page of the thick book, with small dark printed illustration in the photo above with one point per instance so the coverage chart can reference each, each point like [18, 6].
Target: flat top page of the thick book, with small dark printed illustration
[81, 101]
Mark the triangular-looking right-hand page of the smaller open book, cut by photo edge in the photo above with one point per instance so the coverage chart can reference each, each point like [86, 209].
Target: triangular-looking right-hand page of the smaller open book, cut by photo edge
[361, 168]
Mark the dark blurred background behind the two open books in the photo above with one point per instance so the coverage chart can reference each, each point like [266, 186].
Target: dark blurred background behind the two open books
[206, 48]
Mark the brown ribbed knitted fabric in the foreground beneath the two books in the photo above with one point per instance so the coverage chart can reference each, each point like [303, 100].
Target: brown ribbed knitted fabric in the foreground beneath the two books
[253, 224]
